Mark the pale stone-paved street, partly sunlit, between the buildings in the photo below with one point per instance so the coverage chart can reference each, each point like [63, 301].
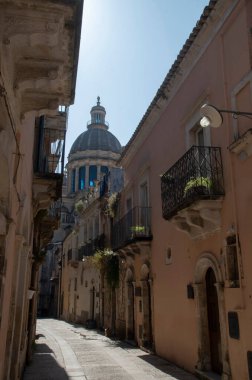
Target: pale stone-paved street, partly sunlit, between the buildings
[65, 351]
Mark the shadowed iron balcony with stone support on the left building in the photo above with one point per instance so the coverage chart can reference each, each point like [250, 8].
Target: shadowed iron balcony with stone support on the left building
[48, 155]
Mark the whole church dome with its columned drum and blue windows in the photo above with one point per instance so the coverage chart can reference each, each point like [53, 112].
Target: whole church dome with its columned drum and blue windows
[93, 154]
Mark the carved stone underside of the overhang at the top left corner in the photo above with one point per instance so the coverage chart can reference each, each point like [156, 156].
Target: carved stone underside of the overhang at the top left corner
[40, 50]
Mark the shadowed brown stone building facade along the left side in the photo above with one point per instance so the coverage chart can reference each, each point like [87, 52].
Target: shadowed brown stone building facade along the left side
[38, 67]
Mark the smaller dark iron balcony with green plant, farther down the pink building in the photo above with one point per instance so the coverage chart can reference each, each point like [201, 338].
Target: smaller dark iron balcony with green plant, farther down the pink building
[133, 227]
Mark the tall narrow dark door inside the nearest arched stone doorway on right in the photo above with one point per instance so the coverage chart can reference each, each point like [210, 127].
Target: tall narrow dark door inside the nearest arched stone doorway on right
[213, 322]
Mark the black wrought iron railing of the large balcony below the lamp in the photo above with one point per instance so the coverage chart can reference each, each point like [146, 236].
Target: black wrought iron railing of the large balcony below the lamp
[198, 174]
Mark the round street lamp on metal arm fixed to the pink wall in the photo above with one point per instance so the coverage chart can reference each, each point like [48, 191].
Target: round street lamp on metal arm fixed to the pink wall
[212, 116]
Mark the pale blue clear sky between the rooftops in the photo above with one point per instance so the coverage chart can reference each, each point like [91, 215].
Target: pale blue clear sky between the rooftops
[127, 48]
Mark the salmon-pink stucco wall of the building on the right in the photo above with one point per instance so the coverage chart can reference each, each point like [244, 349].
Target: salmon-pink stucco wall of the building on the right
[222, 65]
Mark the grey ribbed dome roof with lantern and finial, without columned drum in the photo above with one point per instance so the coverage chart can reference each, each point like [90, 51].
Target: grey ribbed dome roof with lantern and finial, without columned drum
[97, 137]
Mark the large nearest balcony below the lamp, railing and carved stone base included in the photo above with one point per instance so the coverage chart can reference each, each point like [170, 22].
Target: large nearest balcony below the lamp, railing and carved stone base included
[192, 191]
